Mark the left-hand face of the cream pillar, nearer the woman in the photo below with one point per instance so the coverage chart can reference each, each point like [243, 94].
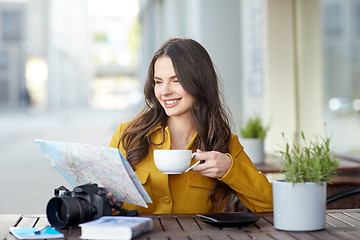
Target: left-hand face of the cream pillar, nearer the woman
[280, 72]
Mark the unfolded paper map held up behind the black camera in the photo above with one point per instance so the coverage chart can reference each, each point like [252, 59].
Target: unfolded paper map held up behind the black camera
[79, 163]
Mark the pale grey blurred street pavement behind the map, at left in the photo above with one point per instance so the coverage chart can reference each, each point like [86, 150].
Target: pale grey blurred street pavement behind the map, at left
[27, 179]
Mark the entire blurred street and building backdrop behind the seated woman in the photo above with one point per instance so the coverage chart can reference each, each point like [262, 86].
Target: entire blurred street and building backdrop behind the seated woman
[73, 70]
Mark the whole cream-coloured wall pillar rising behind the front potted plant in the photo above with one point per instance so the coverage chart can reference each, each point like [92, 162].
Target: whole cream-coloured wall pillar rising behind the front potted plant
[293, 72]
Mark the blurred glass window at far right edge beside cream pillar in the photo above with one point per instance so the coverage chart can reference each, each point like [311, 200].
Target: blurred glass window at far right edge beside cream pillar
[341, 66]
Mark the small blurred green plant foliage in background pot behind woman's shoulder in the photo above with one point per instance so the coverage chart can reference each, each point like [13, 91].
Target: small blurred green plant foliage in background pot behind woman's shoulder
[254, 129]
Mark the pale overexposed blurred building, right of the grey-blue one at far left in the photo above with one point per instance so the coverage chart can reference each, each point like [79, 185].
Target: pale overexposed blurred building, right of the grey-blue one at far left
[57, 47]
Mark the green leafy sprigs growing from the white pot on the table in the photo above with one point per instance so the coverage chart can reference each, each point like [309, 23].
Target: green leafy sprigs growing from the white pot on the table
[310, 161]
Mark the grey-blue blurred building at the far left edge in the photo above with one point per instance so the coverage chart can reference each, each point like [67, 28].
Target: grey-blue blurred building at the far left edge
[13, 92]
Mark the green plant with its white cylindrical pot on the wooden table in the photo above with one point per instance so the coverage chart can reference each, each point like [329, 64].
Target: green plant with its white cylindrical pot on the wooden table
[300, 199]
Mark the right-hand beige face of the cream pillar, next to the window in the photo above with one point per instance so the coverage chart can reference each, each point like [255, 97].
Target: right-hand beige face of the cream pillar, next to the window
[309, 67]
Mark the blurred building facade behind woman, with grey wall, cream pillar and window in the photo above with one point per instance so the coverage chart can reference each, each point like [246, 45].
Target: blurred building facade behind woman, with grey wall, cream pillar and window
[281, 59]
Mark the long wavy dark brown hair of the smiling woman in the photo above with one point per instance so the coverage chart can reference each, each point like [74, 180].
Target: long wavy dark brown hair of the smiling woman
[195, 71]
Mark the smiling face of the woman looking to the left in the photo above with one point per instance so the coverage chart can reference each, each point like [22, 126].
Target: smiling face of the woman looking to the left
[168, 90]
